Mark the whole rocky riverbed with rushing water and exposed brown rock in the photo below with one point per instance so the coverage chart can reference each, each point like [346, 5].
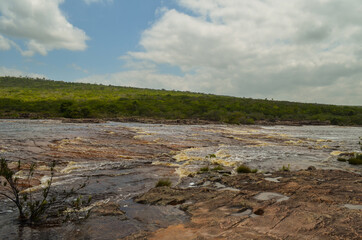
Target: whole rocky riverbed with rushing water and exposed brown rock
[207, 200]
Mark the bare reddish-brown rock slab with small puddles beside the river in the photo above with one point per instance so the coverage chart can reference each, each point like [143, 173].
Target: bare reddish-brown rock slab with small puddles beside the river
[313, 207]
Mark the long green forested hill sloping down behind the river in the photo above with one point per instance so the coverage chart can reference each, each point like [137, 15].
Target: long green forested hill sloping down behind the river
[38, 98]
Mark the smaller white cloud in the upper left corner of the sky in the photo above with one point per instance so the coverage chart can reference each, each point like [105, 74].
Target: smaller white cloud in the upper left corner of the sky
[41, 24]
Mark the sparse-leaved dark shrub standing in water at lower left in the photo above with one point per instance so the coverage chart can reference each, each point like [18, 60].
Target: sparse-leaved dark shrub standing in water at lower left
[34, 206]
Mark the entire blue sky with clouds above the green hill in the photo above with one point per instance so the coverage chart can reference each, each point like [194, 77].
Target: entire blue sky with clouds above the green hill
[299, 50]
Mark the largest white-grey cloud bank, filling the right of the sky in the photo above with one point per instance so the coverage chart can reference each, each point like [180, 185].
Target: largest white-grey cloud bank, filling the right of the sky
[300, 50]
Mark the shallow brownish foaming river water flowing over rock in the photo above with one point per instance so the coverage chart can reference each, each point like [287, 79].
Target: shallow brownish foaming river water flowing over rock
[123, 160]
